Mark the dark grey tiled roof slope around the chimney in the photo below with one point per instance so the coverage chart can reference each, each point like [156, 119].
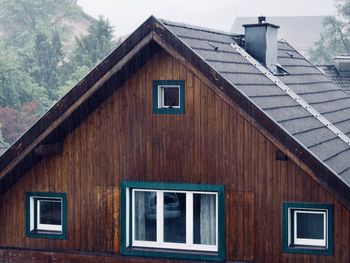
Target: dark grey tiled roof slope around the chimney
[304, 79]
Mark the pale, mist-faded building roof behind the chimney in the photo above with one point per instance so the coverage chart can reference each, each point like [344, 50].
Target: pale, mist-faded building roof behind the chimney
[300, 31]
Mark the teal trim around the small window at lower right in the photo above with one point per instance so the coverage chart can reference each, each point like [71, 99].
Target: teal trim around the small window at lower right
[288, 221]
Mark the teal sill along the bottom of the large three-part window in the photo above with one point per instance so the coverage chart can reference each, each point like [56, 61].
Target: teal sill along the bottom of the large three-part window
[173, 254]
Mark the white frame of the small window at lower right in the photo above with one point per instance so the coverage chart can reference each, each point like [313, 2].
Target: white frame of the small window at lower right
[307, 241]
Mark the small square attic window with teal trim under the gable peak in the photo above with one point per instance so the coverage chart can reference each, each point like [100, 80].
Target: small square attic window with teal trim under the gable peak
[168, 97]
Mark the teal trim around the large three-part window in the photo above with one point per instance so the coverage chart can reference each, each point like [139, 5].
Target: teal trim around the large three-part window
[170, 253]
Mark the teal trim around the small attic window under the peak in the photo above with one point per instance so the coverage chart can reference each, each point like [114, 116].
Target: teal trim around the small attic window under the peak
[156, 108]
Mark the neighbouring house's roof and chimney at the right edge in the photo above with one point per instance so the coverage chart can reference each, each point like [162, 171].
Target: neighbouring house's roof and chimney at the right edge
[339, 72]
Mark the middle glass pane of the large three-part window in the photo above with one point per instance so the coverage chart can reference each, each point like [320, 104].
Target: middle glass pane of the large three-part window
[175, 217]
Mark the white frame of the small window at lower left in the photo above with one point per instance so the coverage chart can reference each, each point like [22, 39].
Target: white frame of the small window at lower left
[35, 201]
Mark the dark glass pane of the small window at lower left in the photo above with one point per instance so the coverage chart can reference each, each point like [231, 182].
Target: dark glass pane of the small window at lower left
[50, 212]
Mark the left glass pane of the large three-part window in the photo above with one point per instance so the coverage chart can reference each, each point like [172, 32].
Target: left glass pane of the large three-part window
[145, 216]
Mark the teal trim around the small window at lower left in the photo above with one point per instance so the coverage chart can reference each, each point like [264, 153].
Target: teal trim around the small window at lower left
[34, 233]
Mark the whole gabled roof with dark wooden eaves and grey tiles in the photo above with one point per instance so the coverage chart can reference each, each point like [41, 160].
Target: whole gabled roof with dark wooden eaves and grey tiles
[211, 53]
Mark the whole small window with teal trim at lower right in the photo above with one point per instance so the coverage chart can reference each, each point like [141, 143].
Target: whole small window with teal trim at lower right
[308, 228]
